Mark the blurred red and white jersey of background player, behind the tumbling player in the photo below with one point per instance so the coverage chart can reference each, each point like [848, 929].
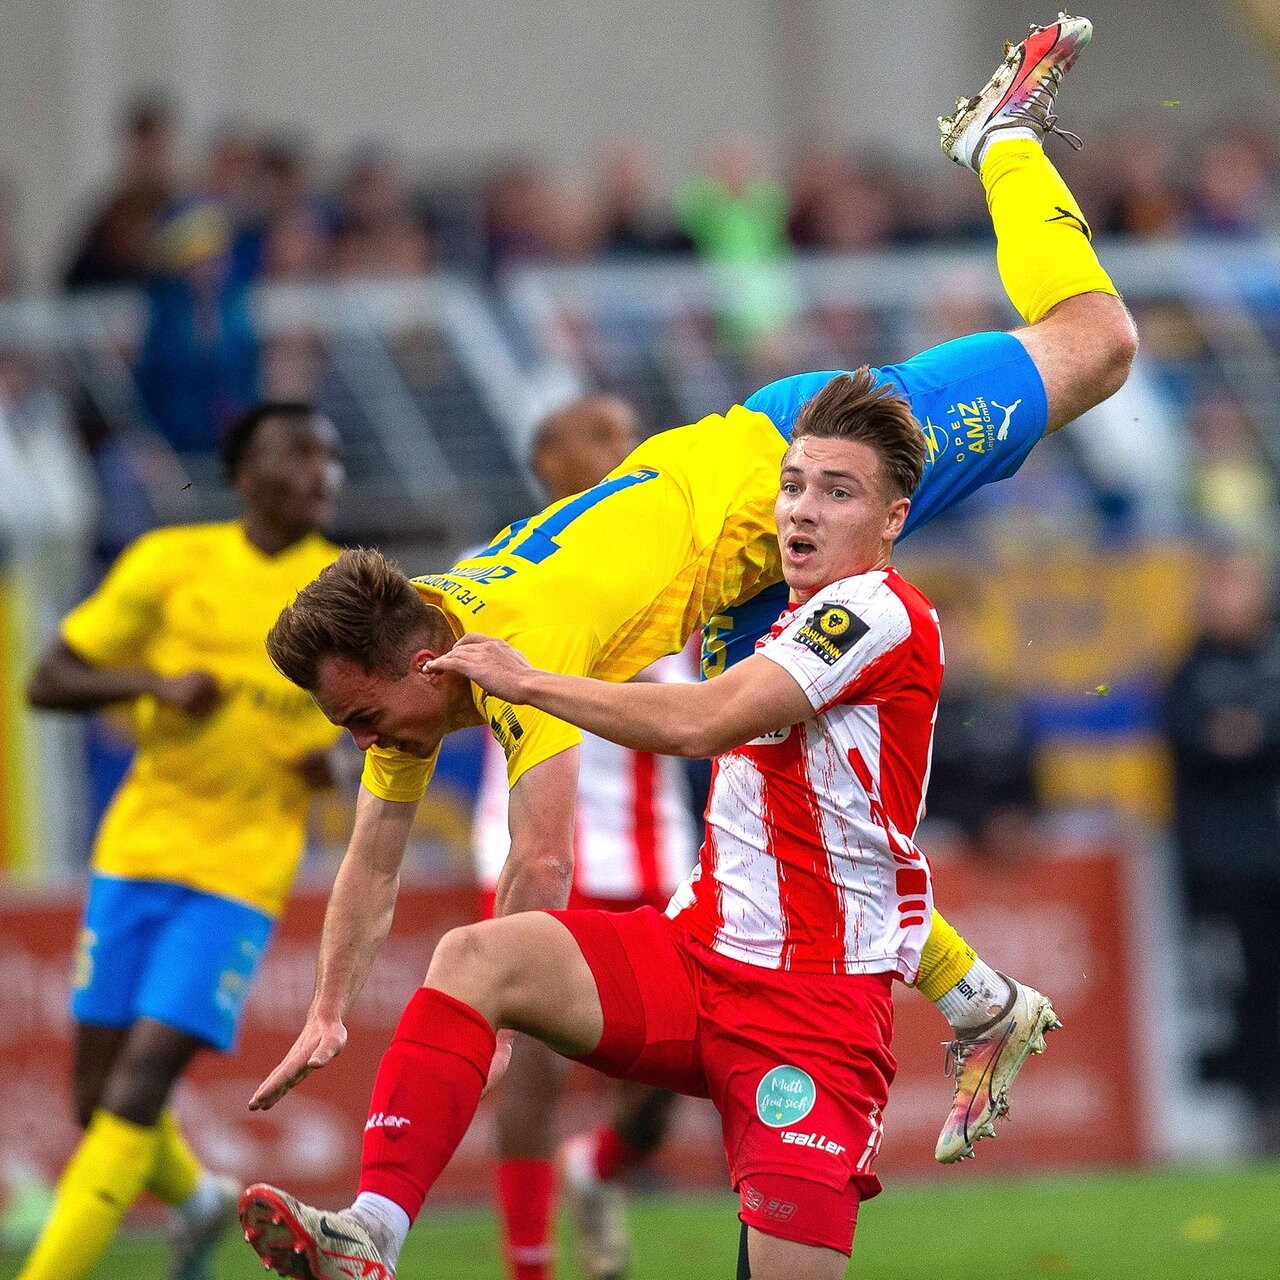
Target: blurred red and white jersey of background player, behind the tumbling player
[634, 833]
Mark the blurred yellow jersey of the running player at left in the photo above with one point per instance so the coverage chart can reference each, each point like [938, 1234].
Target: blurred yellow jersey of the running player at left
[217, 804]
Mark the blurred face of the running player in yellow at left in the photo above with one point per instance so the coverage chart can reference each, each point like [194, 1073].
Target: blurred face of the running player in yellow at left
[294, 473]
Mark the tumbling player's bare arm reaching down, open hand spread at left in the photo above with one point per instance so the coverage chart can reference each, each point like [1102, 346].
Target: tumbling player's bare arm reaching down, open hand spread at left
[356, 925]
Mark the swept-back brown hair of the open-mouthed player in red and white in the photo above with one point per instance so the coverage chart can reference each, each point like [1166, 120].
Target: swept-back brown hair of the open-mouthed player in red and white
[857, 408]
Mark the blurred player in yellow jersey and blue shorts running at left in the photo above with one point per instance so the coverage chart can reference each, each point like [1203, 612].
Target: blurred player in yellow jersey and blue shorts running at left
[196, 853]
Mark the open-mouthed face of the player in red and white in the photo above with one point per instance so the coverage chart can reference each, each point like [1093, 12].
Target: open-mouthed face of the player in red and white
[835, 518]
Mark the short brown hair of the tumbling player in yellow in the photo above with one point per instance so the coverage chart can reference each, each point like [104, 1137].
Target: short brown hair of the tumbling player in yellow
[362, 609]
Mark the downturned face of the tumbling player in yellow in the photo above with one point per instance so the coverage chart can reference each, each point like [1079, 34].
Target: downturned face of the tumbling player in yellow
[410, 714]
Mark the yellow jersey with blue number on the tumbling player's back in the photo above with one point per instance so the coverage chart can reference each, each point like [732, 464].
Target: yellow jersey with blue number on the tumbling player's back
[607, 582]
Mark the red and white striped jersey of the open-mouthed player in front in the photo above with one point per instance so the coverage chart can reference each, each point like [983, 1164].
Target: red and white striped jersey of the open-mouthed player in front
[808, 861]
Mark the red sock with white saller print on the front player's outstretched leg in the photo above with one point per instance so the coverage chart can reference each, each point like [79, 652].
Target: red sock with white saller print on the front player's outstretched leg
[427, 1091]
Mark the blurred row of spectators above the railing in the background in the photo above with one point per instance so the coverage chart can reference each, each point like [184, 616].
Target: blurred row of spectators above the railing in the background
[272, 208]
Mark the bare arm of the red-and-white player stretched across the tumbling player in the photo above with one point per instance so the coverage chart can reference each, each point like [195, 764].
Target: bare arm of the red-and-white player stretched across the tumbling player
[753, 698]
